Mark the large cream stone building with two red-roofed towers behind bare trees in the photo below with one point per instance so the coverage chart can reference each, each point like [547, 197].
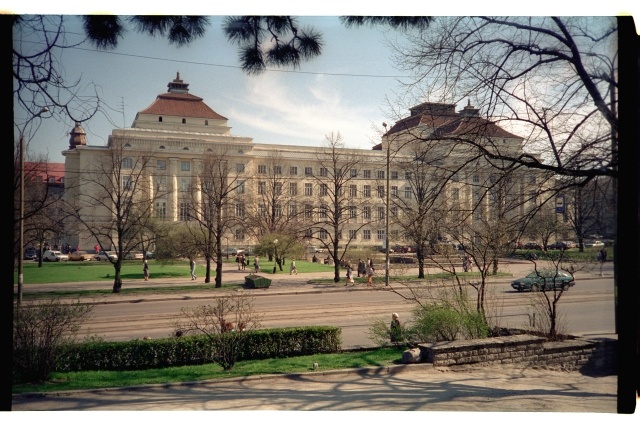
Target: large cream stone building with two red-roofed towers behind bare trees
[167, 149]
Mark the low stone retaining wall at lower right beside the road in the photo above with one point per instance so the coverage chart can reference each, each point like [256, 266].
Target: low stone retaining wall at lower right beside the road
[593, 355]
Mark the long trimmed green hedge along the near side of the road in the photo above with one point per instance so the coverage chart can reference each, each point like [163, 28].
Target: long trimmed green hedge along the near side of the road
[195, 350]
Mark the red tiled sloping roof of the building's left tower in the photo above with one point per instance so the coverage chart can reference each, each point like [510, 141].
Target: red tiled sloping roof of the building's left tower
[182, 105]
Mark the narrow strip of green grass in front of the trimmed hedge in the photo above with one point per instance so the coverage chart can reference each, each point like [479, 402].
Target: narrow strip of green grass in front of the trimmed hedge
[101, 379]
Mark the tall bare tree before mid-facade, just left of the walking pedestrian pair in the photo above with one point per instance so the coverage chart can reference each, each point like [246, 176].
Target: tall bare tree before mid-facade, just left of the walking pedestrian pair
[336, 220]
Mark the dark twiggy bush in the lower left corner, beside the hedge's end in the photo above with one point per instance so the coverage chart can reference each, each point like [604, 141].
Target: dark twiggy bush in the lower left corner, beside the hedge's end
[42, 334]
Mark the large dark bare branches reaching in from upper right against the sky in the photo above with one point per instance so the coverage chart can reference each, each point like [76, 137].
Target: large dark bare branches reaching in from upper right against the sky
[552, 78]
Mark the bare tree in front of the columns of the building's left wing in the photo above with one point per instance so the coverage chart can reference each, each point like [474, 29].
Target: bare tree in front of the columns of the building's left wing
[115, 207]
